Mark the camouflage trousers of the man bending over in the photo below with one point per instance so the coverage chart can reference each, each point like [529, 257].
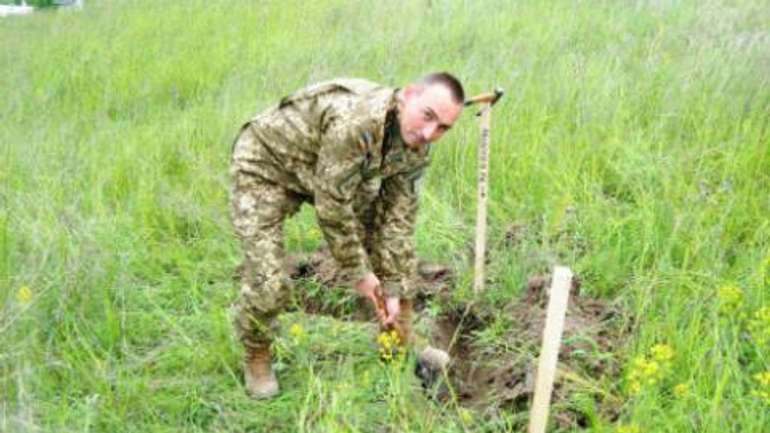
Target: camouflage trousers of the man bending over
[258, 210]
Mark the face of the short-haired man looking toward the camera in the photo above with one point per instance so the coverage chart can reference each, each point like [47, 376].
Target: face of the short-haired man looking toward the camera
[426, 112]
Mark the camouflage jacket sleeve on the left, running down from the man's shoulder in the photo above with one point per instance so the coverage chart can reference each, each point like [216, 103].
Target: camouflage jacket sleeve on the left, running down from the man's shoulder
[343, 150]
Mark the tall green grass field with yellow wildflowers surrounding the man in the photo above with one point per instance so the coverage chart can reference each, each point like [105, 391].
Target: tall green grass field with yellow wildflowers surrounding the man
[633, 144]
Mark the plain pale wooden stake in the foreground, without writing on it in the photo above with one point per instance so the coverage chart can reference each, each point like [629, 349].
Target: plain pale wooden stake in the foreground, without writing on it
[549, 354]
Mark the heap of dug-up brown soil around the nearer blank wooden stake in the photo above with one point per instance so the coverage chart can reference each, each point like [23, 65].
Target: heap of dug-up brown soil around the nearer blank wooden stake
[502, 377]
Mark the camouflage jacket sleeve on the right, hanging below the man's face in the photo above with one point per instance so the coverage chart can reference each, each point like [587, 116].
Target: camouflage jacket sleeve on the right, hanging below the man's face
[393, 251]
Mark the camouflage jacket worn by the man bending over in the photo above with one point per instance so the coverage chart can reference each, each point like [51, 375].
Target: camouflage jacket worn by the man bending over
[330, 141]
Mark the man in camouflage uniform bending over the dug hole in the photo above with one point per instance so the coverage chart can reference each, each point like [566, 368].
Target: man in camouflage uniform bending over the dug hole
[354, 150]
